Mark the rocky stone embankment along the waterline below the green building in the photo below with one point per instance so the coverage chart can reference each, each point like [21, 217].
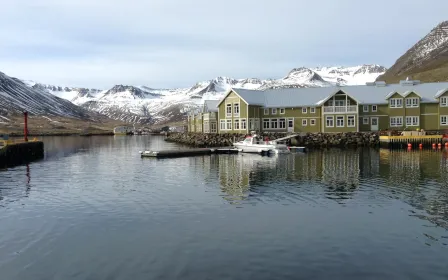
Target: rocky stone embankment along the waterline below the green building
[311, 140]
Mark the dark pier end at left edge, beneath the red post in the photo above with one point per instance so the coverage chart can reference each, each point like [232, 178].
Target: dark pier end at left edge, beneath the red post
[19, 153]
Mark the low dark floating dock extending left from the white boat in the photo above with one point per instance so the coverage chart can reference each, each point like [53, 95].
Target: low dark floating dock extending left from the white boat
[188, 152]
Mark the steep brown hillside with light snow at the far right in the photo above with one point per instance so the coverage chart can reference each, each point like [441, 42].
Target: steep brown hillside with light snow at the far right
[426, 61]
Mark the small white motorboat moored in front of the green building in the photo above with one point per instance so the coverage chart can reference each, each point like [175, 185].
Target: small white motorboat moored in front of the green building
[254, 144]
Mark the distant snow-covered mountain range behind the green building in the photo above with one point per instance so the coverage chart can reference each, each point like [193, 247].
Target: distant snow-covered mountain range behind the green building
[145, 105]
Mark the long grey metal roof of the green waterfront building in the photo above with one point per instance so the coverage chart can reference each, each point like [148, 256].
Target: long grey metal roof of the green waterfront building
[315, 96]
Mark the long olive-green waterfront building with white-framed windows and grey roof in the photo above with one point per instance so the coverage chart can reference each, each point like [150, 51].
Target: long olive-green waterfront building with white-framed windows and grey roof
[408, 105]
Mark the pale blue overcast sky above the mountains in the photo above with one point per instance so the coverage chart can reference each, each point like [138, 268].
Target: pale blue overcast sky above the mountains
[176, 43]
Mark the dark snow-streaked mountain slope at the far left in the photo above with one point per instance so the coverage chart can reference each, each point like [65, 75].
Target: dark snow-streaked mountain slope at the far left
[17, 97]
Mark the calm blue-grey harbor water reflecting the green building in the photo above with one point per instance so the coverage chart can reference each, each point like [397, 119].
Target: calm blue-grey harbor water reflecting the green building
[93, 209]
